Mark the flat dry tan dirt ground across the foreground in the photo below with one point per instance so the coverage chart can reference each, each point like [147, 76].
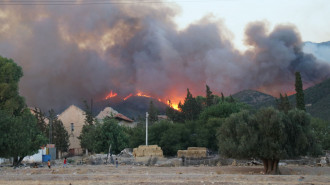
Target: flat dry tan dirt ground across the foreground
[126, 174]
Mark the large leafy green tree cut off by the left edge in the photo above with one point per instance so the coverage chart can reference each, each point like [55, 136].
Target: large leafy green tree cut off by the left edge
[19, 134]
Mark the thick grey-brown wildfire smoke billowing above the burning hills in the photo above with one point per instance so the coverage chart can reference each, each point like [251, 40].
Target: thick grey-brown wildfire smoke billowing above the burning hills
[71, 53]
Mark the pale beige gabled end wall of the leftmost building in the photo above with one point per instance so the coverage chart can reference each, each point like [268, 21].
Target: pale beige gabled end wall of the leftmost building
[74, 115]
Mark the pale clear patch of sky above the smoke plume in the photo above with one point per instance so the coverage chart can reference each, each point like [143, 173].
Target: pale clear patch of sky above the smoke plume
[311, 17]
